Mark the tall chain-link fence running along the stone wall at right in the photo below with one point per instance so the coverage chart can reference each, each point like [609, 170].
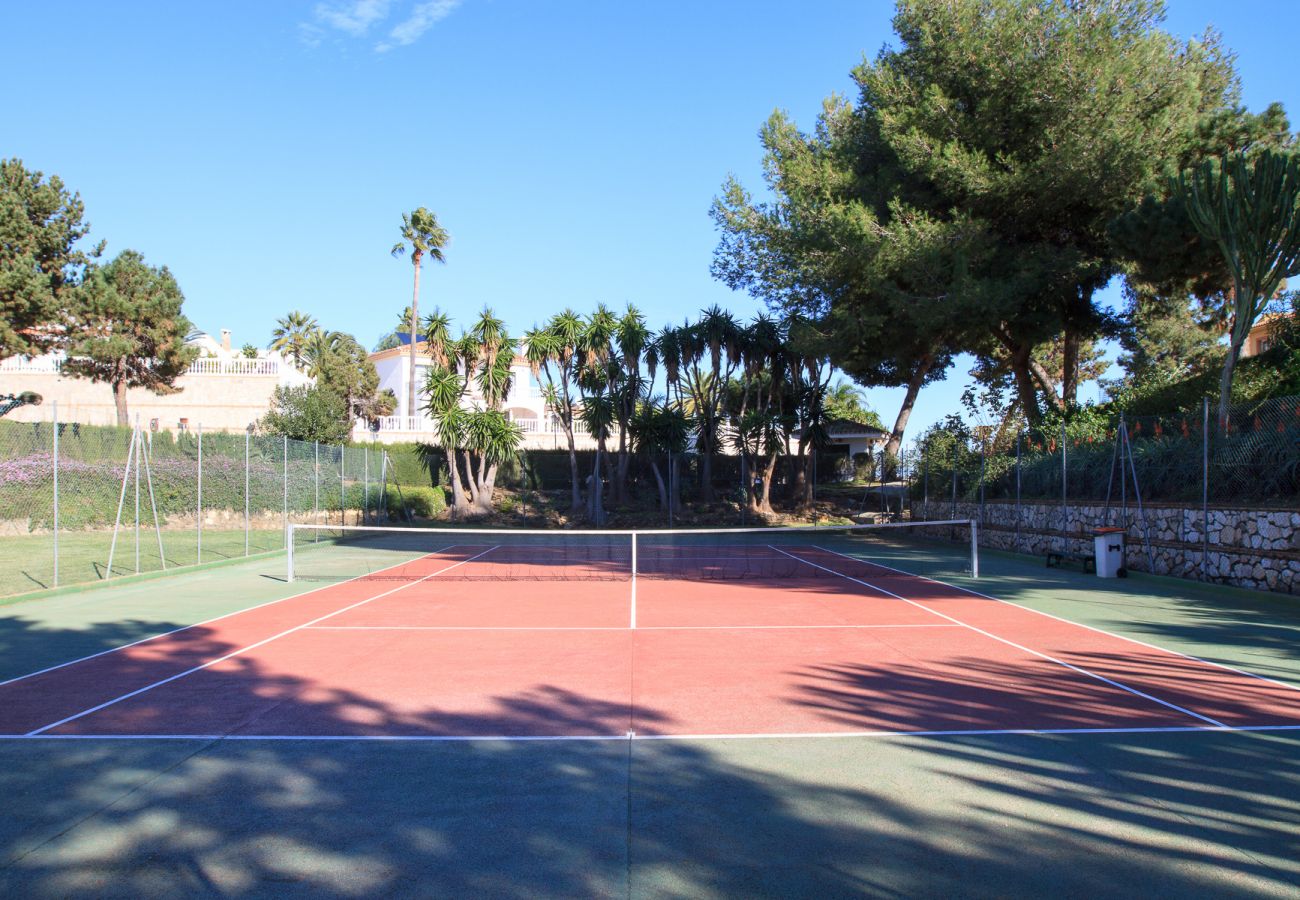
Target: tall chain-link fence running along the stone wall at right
[1203, 497]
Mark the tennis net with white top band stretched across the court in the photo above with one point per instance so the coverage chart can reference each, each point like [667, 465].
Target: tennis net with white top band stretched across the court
[341, 553]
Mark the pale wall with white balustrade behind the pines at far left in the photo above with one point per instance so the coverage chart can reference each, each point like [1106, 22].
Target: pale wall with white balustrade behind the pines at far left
[223, 391]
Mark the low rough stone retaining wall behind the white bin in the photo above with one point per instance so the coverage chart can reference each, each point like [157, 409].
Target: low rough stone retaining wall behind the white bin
[1246, 548]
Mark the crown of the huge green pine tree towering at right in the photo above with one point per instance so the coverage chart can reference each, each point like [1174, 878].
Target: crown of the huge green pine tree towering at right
[998, 168]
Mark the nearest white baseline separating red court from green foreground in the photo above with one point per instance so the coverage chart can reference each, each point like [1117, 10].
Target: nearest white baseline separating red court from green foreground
[632, 737]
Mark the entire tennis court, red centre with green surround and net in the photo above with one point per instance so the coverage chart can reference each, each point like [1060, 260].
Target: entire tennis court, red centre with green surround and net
[658, 713]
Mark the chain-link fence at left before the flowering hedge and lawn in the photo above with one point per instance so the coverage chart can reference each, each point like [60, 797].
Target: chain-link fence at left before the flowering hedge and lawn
[75, 496]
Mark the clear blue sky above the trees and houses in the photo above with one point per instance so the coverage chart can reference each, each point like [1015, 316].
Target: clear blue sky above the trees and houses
[266, 152]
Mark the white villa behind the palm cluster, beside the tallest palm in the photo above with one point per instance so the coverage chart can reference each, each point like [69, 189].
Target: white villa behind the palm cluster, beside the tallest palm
[526, 405]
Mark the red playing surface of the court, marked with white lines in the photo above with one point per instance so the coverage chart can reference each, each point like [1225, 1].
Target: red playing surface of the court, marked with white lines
[861, 648]
